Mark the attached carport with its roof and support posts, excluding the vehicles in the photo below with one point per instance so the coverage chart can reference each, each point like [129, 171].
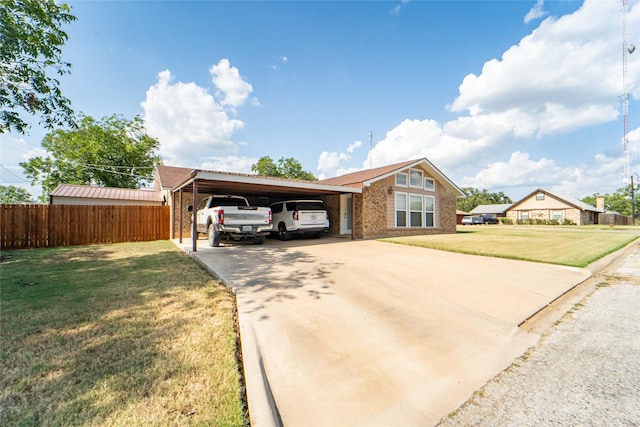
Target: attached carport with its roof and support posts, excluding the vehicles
[265, 189]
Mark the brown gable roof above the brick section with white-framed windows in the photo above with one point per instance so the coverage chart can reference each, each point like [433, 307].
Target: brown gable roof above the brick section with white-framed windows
[364, 178]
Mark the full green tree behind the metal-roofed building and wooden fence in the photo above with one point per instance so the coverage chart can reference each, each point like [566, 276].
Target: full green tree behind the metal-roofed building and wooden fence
[112, 152]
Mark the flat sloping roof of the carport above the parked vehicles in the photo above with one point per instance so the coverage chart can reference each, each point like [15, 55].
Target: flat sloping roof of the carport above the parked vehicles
[216, 182]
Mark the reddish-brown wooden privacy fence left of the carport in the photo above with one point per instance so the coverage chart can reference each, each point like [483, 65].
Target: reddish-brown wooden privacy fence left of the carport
[39, 226]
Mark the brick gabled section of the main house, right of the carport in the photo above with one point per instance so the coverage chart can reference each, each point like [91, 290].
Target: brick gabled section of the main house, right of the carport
[407, 198]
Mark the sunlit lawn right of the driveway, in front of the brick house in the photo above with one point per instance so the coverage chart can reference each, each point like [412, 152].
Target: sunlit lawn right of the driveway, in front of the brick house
[572, 246]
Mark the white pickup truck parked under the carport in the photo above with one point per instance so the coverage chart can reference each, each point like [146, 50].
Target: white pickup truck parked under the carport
[232, 217]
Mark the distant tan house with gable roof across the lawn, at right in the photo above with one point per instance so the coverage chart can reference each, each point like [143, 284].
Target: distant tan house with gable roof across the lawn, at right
[546, 205]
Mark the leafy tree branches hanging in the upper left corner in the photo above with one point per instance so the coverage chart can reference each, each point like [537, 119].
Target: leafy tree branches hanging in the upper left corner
[31, 36]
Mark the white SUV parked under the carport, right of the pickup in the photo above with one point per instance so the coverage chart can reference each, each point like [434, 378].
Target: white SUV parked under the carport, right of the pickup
[299, 217]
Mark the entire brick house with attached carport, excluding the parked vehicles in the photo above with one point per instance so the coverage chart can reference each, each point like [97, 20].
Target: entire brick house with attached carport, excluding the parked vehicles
[406, 198]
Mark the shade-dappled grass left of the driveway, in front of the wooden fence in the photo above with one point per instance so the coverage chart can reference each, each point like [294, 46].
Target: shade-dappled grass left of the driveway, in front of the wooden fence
[126, 334]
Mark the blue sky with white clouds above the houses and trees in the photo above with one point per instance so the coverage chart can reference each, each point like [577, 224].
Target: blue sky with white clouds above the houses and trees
[506, 96]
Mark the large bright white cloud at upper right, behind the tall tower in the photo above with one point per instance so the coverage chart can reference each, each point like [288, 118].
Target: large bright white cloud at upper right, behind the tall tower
[563, 76]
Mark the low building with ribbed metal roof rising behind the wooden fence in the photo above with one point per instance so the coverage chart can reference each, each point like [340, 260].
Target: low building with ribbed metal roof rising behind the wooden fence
[69, 194]
